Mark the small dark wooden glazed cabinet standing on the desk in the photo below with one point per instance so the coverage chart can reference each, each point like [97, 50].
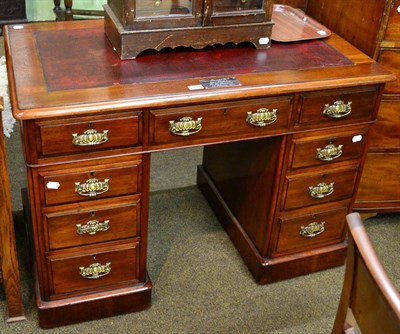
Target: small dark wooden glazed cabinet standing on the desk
[133, 26]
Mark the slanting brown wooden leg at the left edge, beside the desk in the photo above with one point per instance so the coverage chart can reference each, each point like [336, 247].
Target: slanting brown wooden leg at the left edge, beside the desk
[9, 270]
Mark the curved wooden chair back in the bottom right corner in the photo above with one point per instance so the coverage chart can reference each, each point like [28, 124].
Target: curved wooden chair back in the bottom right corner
[367, 290]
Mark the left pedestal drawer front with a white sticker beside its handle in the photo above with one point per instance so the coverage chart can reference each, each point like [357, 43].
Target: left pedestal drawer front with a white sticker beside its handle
[88, 184]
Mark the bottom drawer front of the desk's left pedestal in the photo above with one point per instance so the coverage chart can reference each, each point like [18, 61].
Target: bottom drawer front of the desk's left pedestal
[95, 269]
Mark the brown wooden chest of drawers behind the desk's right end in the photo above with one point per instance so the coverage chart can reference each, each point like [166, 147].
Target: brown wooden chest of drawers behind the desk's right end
[378, 35]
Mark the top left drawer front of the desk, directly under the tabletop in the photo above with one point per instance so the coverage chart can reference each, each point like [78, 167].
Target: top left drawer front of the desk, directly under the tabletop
[78, 135]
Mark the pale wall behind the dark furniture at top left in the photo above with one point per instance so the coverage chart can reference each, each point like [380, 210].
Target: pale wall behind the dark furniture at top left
[42, 10]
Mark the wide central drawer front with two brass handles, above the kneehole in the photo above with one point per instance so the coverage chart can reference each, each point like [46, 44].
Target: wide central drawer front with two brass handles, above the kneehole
[199, 124]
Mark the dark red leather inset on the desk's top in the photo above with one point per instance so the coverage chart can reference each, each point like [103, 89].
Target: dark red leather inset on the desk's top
[64, 60]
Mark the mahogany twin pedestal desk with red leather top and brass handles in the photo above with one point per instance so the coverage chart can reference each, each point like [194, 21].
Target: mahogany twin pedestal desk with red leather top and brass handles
[285, 134]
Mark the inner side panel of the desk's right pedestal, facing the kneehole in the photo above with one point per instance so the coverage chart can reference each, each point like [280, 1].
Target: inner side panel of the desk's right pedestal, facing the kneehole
[246, 175]
